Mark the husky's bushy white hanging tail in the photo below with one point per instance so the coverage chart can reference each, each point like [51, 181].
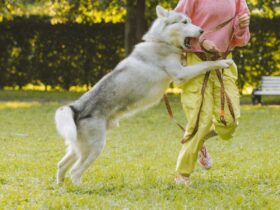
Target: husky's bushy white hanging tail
[65, 124]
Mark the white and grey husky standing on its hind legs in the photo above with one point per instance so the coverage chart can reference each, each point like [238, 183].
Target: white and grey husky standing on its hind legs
[137, 82]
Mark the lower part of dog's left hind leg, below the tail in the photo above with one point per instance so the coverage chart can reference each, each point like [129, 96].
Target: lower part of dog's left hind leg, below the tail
[65, 163]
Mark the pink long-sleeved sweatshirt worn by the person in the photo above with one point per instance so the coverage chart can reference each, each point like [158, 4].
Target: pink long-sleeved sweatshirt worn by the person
[209, 13]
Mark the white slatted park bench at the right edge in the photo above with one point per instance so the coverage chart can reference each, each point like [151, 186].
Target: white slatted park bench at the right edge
[270, 86]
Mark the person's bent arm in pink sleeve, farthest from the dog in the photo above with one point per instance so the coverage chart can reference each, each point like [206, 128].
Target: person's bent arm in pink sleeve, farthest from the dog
[241, 33]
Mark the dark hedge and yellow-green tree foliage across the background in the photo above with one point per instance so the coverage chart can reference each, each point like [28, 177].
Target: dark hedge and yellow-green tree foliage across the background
[61, 43]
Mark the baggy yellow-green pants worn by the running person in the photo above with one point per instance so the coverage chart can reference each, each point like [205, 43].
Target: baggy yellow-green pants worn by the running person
[210, 114]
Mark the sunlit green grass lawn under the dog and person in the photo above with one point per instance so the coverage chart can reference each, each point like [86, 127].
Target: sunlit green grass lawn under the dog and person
[136, 169]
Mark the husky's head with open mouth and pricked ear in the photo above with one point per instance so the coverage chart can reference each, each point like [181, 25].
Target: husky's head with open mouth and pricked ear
[173, 28]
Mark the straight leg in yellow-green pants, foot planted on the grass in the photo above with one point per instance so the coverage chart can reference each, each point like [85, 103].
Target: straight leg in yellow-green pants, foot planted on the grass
[191, 100]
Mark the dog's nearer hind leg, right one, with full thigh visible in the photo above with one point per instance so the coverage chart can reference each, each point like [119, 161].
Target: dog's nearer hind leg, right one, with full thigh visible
[91, 143]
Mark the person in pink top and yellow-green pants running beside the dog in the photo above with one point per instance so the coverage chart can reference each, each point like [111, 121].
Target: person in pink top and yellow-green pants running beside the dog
[211, 101]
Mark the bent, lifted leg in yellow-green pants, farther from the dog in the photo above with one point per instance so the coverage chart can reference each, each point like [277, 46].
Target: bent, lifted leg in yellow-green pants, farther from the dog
[226, 132]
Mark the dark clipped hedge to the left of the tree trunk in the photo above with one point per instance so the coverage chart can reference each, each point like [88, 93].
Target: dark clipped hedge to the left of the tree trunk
[33, 50]
